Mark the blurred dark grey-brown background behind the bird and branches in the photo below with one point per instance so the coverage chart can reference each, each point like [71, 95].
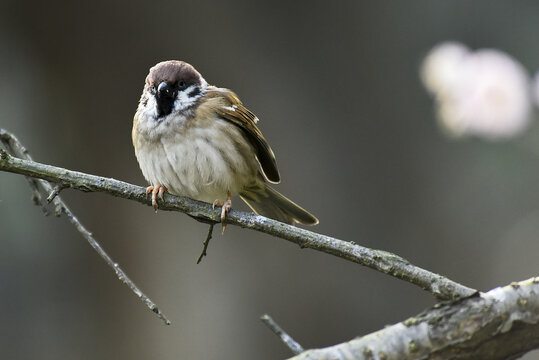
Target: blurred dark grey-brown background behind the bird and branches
[339, 95]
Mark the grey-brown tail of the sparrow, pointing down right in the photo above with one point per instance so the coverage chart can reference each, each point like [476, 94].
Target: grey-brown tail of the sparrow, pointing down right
[276, 206]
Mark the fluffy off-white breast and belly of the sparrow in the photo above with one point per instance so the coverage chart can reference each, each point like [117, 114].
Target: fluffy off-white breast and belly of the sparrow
[202, 163]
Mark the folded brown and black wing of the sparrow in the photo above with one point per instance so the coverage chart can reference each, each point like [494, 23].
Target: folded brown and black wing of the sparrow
[242, 117]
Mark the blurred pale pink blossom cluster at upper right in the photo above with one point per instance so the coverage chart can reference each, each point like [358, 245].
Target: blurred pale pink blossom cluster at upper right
[484, 93]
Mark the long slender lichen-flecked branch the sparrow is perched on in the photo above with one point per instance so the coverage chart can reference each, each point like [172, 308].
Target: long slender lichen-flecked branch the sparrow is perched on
[388, 263]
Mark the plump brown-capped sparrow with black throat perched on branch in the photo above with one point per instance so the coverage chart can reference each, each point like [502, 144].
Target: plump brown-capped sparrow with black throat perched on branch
[197, 140]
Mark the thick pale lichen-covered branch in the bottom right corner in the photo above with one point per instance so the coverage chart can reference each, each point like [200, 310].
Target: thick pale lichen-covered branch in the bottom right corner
[500, 324]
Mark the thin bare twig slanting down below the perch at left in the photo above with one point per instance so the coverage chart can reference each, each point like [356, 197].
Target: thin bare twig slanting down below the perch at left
[14, 146]
